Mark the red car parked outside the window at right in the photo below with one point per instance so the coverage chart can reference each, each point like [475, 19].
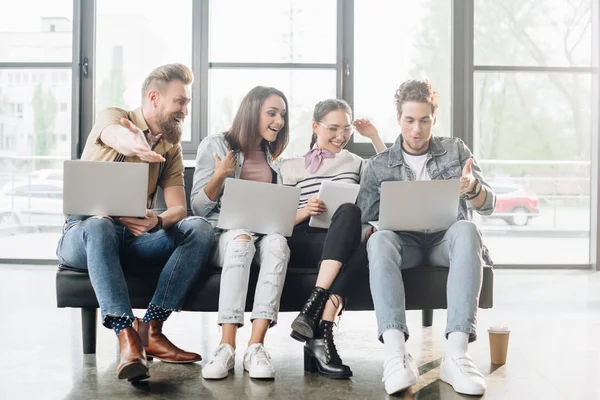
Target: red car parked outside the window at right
[515, 204]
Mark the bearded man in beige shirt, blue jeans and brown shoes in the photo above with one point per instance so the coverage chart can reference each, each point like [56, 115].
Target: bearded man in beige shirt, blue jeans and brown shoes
[172, 241]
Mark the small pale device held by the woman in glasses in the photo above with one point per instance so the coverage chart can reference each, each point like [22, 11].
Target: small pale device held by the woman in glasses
[333, 194]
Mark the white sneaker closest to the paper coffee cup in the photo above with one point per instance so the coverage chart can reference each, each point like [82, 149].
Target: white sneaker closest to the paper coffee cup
[462, 374]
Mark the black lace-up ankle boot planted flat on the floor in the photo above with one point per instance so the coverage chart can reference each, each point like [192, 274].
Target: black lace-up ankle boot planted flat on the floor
[320, 354]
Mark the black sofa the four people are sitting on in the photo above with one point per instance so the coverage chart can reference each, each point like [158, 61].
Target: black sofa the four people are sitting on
[425, 288]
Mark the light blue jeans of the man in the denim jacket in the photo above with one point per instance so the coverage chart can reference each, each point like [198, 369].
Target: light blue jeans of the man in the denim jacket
[458, 248]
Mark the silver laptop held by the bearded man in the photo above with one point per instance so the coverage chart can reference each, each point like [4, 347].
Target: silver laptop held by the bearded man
[117, 189]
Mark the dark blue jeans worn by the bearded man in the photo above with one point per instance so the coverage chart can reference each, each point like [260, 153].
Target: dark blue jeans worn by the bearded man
[98, 244]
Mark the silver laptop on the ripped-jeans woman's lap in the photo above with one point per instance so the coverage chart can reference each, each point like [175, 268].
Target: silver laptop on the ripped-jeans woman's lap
[258, 207]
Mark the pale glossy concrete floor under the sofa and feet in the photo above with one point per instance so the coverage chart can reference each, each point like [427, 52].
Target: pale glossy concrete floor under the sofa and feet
[554, 348]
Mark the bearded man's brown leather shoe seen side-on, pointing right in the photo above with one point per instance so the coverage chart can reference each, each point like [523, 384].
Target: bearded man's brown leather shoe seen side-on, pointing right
[158, 346]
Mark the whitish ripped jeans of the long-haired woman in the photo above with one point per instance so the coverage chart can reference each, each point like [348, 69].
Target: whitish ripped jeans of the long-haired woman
[235, 256]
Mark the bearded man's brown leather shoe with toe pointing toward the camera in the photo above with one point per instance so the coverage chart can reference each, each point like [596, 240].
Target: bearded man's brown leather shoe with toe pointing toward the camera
[133, 365]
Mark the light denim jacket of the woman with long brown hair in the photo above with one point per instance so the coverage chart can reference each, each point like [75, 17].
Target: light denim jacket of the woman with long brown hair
[205, 168]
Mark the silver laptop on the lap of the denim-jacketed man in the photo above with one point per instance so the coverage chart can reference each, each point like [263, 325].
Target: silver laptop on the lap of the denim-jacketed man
[418, 205]
